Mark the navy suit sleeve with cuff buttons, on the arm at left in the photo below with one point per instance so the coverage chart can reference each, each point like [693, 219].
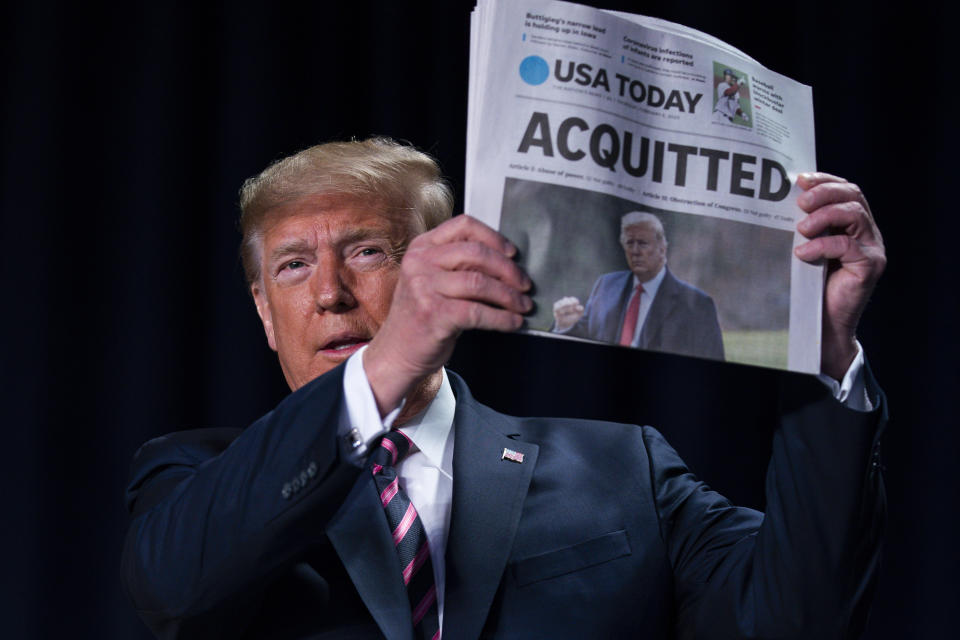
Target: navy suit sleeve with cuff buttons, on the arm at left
[211, 524]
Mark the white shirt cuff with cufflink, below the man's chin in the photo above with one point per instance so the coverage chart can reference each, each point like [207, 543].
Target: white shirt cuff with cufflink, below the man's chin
[361, 424]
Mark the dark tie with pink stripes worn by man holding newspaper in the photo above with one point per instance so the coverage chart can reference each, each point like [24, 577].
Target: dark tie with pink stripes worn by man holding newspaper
[409, 536]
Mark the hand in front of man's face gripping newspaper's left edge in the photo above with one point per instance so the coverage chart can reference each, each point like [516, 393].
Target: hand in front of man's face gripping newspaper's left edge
[460, 275]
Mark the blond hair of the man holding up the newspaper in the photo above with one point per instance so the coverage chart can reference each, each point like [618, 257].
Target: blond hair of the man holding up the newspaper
[376, 169]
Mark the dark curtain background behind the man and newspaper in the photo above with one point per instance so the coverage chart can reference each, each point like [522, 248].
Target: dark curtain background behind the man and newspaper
[127, 130]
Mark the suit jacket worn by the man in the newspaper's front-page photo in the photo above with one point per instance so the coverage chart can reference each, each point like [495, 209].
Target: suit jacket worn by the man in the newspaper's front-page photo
[682, 318]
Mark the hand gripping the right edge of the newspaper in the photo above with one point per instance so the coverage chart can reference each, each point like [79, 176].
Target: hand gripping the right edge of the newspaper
[843, 232]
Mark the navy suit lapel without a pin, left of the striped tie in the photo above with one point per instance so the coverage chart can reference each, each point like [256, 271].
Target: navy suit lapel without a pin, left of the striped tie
[359, 533]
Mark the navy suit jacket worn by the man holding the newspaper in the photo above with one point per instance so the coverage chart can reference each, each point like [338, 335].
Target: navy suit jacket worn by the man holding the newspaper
[600, 532]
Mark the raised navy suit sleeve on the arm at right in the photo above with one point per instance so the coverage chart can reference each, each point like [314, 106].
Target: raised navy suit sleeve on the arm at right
[808, 568]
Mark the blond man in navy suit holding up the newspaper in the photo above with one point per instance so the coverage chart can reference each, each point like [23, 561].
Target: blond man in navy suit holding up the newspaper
[530, 527]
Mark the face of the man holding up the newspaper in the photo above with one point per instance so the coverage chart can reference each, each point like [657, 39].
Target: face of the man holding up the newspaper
[328, 269]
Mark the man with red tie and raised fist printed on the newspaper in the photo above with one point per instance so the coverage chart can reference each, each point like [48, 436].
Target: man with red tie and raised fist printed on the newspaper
[645, 306]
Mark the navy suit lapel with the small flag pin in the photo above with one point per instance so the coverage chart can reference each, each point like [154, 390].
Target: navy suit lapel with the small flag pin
[488, 497]
